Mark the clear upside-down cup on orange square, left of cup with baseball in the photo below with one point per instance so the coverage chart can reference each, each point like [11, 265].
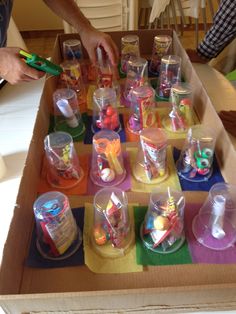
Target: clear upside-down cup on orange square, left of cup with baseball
[63, 169]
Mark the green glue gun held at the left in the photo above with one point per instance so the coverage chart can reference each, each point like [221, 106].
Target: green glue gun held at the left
[41, 64]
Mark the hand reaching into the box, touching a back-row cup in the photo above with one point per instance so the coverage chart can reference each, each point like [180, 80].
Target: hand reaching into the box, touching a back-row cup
[93, 38]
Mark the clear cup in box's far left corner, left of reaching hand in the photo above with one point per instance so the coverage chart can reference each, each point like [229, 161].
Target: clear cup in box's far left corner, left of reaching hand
[72, 49]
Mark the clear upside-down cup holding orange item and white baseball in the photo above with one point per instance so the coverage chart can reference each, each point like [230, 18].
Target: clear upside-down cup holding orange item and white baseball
[107, 167]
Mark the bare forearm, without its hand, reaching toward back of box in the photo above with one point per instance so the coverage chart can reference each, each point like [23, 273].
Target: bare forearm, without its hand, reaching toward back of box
[69, 11]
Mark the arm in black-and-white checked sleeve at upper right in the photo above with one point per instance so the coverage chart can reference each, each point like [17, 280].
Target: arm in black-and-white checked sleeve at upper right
[221, 33]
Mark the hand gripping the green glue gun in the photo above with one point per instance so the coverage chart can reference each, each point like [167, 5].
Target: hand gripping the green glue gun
[14, 70]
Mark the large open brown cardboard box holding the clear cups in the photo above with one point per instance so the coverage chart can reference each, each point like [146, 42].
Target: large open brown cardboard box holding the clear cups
[162, 289]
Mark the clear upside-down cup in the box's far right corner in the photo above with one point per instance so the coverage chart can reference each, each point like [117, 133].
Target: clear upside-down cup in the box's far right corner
[161, 47]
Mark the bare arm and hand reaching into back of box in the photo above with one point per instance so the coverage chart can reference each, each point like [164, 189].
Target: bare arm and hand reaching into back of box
[91, 38]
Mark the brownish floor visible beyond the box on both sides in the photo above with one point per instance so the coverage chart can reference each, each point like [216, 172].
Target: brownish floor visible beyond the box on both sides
[42, 42]
